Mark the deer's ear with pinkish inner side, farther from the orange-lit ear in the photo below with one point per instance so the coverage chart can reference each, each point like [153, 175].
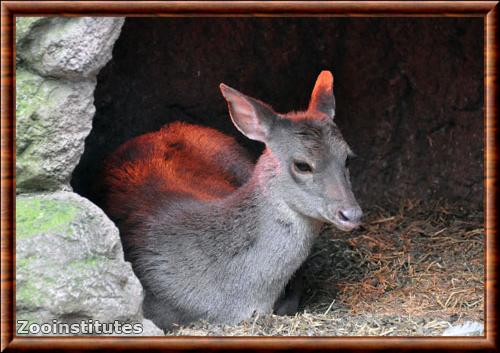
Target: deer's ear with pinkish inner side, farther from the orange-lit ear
[251, 117]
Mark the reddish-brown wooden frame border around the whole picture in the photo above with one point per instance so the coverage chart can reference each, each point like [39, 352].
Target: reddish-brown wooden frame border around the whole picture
[9, 9]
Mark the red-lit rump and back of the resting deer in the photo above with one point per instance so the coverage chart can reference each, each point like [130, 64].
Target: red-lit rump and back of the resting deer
[181, 159]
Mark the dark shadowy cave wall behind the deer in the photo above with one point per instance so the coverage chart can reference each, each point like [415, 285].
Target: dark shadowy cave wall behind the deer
[409, 92]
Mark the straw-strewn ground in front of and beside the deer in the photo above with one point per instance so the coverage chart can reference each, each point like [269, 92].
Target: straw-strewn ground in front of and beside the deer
[411, 269]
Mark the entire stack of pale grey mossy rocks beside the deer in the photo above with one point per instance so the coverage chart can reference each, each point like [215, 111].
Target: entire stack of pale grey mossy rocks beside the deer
[69, 258]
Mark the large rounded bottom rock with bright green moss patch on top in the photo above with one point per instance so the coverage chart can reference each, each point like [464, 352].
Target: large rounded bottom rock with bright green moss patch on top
[70, 265]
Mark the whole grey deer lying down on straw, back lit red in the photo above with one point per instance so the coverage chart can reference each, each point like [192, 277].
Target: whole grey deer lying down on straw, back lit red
[210, 235]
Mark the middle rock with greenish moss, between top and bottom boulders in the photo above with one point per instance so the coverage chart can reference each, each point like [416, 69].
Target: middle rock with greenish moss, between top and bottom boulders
[53, 118]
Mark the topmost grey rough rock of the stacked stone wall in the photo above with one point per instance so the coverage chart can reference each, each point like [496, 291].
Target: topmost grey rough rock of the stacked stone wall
[70, 48]
